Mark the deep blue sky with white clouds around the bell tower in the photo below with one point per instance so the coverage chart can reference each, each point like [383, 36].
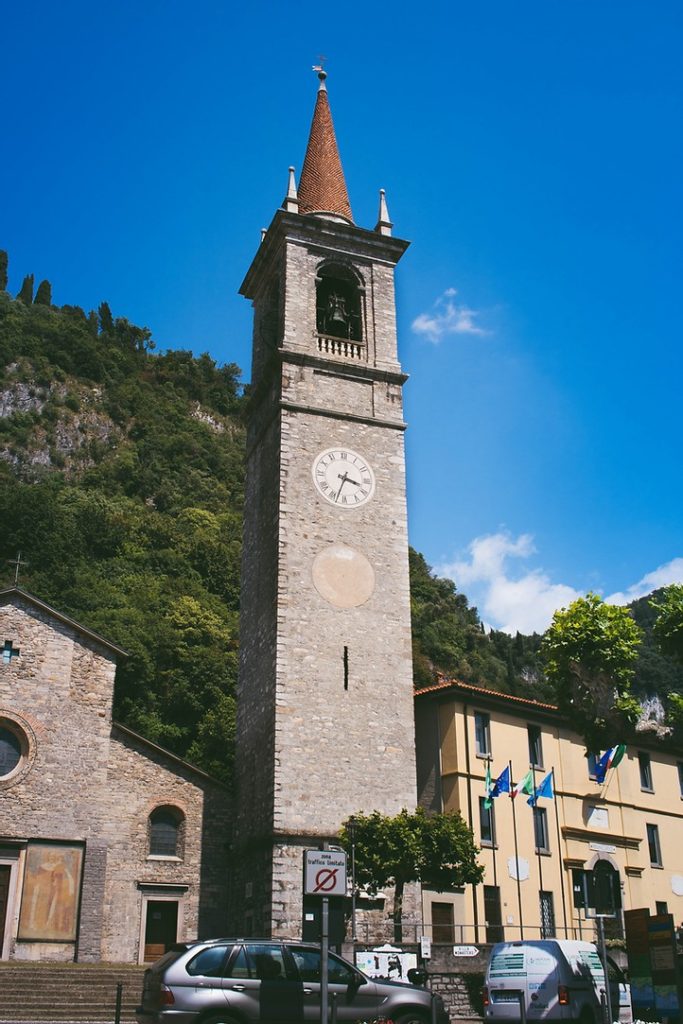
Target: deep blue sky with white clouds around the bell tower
[531, 152]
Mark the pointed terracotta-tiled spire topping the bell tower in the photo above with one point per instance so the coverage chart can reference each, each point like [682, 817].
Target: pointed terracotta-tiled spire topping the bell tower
[322, 186]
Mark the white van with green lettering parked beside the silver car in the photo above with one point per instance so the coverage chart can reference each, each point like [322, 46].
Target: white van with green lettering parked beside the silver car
[559, 980]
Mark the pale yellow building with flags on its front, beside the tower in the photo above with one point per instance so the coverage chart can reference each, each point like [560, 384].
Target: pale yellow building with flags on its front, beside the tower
[633, 824]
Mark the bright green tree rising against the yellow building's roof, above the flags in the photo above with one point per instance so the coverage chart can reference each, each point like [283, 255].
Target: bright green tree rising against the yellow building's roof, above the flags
[590, 652]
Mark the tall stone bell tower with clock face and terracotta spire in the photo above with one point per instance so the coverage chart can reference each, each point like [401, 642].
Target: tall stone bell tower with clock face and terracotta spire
[325, 719]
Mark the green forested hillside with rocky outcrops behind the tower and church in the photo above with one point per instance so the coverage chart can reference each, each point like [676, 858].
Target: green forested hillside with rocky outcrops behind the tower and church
[121, 484]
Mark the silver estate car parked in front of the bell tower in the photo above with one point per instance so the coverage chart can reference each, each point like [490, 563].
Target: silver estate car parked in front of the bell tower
[245, 982]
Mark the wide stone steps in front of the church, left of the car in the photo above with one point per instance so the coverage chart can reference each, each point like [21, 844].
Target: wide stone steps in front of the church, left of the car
[79, 993]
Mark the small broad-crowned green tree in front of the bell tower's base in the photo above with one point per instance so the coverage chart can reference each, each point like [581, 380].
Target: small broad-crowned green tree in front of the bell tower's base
[437, 850]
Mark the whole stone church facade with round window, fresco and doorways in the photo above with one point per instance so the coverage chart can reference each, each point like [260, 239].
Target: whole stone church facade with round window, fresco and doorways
[111, 848]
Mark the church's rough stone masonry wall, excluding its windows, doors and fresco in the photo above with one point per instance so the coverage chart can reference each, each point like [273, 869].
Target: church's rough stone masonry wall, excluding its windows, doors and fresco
[81, 784]
